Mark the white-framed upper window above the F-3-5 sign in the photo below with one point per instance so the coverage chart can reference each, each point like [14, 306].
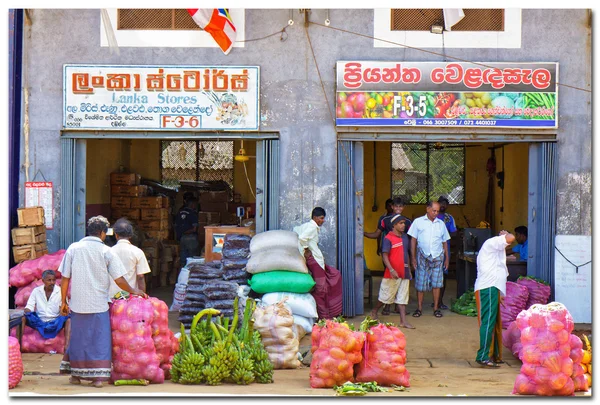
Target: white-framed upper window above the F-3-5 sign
[480, 28]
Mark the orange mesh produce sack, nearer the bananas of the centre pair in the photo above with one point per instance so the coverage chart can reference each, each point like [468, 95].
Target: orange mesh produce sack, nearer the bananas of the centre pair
[336, 348]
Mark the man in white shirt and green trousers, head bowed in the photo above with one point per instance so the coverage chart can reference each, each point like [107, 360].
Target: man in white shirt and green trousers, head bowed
[490, 289]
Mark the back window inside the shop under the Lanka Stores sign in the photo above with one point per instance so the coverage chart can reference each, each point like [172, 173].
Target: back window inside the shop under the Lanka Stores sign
[196, 161]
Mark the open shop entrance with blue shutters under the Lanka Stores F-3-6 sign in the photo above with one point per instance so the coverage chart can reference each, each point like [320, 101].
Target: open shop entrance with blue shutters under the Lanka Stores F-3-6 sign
[234, 177]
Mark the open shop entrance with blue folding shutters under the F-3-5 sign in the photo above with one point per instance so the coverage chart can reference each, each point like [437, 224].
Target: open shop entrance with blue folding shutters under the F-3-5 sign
[505, 184]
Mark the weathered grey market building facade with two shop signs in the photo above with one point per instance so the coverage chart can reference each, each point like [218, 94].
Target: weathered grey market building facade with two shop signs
[310, 141]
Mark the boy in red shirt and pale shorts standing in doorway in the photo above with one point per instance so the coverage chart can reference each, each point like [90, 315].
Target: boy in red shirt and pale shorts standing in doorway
[394, 287]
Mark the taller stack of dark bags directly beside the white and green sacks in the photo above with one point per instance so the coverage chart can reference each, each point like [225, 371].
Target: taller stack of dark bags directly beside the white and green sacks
[236, 250]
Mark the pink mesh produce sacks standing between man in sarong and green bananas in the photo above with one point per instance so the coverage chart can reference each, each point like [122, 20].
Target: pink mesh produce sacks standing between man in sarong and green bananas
[143, 345]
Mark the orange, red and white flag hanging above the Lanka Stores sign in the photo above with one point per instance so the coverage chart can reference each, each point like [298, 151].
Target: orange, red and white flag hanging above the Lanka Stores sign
[217, 22]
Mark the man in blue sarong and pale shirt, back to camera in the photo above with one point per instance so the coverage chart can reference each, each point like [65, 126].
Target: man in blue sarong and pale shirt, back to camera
[90, 265]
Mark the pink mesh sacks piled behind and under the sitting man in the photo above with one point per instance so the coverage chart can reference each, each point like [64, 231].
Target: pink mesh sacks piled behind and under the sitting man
[26, 276]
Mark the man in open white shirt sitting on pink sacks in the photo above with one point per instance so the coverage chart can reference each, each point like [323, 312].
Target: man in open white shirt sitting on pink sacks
[42, 311]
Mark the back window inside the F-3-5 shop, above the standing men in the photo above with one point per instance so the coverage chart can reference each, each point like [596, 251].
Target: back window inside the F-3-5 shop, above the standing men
[425, 171]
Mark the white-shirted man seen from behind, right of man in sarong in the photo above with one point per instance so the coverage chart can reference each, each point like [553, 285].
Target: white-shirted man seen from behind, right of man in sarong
[133, 258]
